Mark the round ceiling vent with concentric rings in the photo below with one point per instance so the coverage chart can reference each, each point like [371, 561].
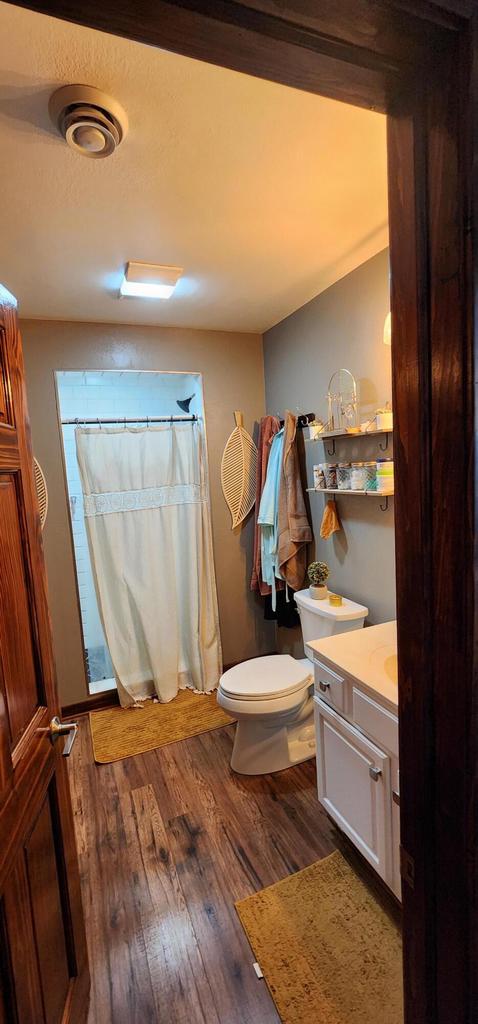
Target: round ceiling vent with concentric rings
[92, 122]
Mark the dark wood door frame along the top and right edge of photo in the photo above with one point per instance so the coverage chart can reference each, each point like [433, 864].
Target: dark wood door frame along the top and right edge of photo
[414, 60]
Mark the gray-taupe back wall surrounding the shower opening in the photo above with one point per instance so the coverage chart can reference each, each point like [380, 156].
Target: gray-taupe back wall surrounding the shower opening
[233, 378]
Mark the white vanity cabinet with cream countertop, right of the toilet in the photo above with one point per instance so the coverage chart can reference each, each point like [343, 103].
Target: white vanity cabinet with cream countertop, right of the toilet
[357, 726]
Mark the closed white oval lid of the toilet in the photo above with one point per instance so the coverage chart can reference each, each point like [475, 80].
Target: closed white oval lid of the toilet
[274, 676]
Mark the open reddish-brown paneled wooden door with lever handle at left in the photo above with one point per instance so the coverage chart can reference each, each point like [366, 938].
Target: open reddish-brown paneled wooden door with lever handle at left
[44, 962]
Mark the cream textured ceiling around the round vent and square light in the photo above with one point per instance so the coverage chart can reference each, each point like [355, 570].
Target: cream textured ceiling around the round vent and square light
[265, 195]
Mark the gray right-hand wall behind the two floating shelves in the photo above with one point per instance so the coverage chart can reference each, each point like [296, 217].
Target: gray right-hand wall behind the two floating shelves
[342, 327]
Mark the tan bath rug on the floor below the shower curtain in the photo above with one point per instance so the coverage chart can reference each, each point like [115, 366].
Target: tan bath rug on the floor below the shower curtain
[122, 733]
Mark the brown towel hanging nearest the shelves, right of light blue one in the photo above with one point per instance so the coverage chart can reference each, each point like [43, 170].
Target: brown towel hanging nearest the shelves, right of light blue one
[294, 533]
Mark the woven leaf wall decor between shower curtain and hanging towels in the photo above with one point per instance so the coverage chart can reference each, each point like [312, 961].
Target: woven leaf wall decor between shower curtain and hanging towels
[239, 473]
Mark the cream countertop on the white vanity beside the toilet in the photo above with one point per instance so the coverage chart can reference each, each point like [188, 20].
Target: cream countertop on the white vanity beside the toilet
[368, 656]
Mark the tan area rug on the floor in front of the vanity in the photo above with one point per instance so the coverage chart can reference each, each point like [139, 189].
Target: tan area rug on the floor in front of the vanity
[329, 953]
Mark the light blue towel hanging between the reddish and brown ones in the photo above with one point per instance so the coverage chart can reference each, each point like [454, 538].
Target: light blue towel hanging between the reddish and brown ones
[269, 516]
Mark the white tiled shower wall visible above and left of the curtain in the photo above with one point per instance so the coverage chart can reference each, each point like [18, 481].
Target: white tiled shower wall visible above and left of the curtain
[106, 395]
